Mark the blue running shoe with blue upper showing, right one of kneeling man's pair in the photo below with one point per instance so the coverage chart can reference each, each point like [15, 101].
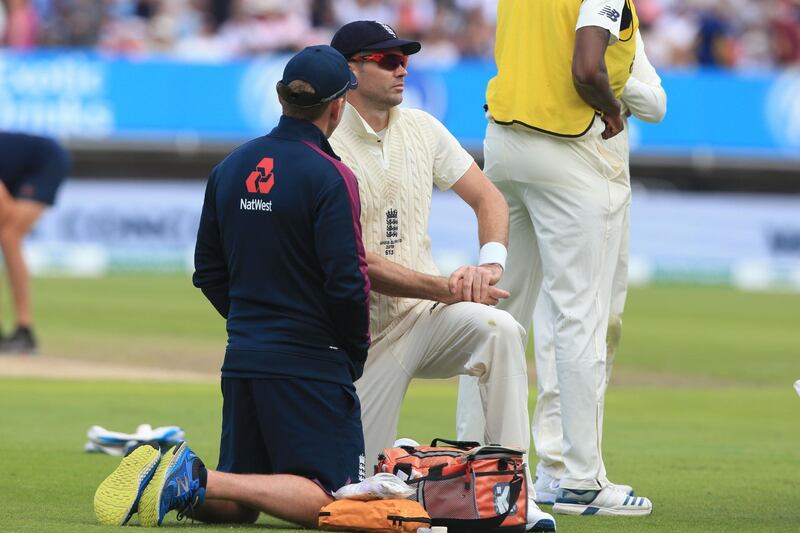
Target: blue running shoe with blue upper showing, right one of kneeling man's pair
[179, 484]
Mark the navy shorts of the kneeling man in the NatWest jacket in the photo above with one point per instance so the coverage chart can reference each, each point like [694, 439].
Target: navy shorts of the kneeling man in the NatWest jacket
[293, 426]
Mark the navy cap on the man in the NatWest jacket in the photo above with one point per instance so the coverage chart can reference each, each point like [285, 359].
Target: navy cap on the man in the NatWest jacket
[324, 69]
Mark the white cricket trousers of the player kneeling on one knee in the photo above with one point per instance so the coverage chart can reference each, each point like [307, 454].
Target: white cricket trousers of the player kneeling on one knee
[444, 341]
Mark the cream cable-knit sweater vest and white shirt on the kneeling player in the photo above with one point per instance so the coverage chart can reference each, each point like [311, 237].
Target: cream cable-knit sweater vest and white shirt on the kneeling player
[396, 175]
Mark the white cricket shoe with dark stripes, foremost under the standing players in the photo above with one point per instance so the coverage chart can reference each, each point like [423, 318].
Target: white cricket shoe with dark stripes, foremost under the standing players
[606, 502]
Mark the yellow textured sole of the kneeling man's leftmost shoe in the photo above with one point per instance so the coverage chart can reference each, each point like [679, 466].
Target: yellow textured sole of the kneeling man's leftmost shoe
[116, 499]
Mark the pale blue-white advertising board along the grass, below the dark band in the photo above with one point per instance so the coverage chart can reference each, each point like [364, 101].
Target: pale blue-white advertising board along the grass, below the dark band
[746, 240]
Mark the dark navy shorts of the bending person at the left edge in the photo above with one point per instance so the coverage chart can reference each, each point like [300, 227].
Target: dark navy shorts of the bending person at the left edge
[32, 167]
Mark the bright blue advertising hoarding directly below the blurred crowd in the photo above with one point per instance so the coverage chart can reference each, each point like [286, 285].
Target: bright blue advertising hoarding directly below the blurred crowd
[90, 97]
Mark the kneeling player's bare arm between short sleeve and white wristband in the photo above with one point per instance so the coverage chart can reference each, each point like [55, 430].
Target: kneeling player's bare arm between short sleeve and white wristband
[489, 205]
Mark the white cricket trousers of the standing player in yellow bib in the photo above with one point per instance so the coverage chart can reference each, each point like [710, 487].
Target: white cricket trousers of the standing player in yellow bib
[568, 203]
